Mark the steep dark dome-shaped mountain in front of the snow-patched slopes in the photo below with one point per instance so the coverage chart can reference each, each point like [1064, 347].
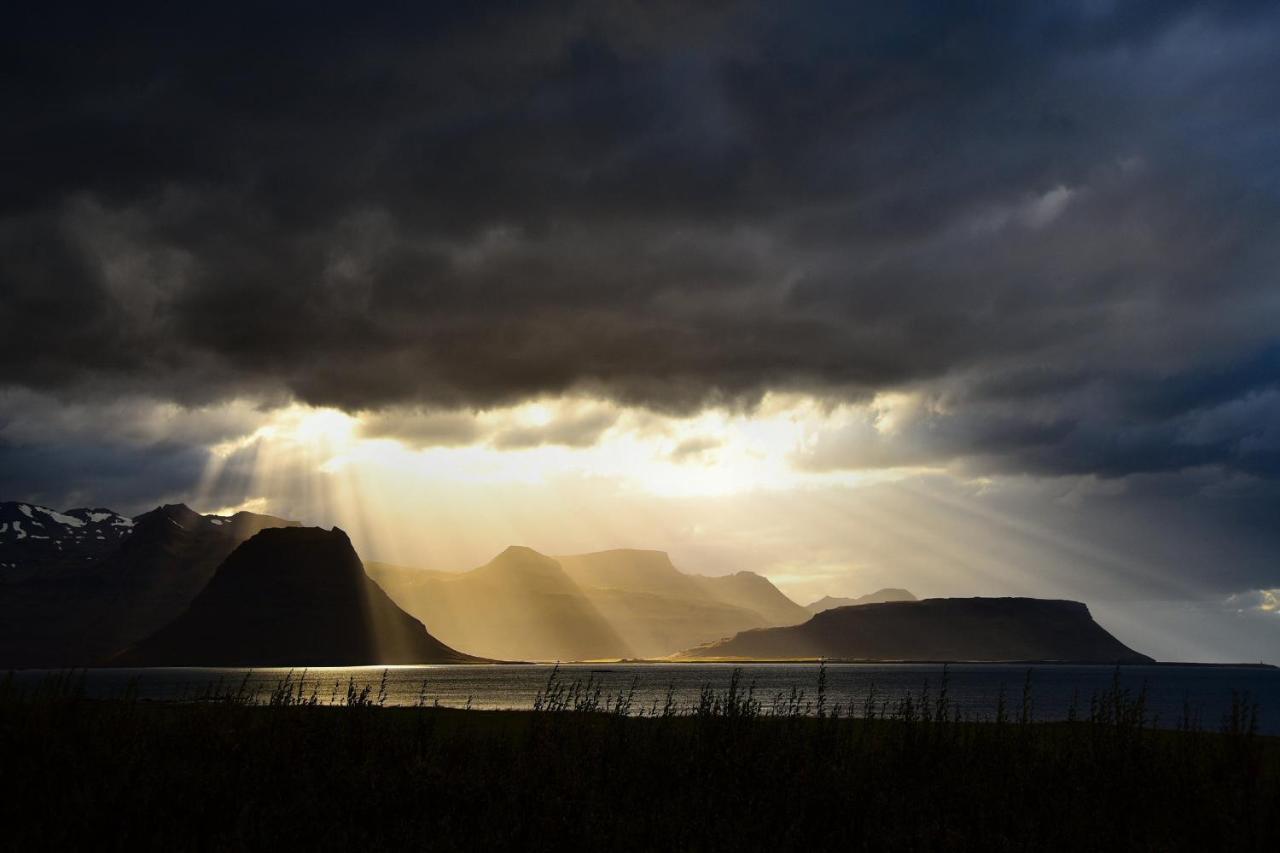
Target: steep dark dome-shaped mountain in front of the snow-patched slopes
[292, 597]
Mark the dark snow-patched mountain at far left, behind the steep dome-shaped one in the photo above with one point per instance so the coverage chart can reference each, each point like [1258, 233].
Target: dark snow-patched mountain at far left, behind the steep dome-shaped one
[81, 603]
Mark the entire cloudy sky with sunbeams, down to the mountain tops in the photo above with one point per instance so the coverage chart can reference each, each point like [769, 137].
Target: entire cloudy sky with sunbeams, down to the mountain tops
[981, 302]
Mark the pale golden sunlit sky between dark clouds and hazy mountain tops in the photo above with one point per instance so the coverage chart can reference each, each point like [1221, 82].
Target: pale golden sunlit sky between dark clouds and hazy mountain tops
[721, 491]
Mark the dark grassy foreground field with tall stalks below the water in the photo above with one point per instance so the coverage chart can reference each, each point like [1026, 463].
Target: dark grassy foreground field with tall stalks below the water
[729, 774]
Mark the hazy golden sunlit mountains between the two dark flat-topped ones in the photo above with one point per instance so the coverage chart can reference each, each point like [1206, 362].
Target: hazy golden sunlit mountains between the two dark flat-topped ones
[606, 605]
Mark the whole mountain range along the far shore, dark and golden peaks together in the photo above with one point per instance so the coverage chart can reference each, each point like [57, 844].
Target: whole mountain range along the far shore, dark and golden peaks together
[85, 586]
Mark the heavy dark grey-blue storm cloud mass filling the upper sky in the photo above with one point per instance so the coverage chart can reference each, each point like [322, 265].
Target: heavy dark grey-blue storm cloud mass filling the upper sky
[1063, 220]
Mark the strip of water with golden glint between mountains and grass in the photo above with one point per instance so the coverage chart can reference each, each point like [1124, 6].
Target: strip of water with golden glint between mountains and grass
[973, 688]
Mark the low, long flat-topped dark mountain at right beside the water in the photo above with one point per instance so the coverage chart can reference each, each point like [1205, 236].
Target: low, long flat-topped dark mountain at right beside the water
[938, 630]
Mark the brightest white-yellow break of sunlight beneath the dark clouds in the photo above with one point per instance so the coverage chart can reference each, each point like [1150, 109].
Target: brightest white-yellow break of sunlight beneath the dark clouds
[714, 454]
